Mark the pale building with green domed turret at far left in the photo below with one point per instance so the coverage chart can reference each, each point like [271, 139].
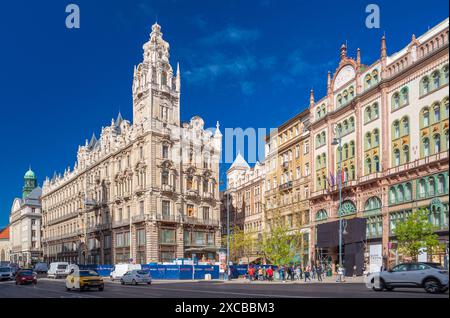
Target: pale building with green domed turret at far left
[25, 224]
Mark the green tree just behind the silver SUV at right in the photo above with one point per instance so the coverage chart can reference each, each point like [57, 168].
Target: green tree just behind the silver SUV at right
[416, 234]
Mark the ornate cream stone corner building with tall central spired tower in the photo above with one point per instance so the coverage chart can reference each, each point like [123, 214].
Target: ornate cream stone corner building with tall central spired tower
[145, 191]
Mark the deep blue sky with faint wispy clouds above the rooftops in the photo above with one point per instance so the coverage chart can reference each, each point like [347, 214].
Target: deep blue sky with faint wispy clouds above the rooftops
[245, 63]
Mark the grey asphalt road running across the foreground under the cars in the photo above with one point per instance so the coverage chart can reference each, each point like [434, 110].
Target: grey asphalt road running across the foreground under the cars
[47, 288]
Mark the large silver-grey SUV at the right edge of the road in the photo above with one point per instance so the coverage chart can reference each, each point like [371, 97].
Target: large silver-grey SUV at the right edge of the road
[430, 276]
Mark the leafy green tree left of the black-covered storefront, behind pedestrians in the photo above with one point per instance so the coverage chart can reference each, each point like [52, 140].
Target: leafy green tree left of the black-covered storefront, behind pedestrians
[280, 245]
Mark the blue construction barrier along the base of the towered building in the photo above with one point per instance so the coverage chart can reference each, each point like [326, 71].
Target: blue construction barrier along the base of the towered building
[164, 272]
